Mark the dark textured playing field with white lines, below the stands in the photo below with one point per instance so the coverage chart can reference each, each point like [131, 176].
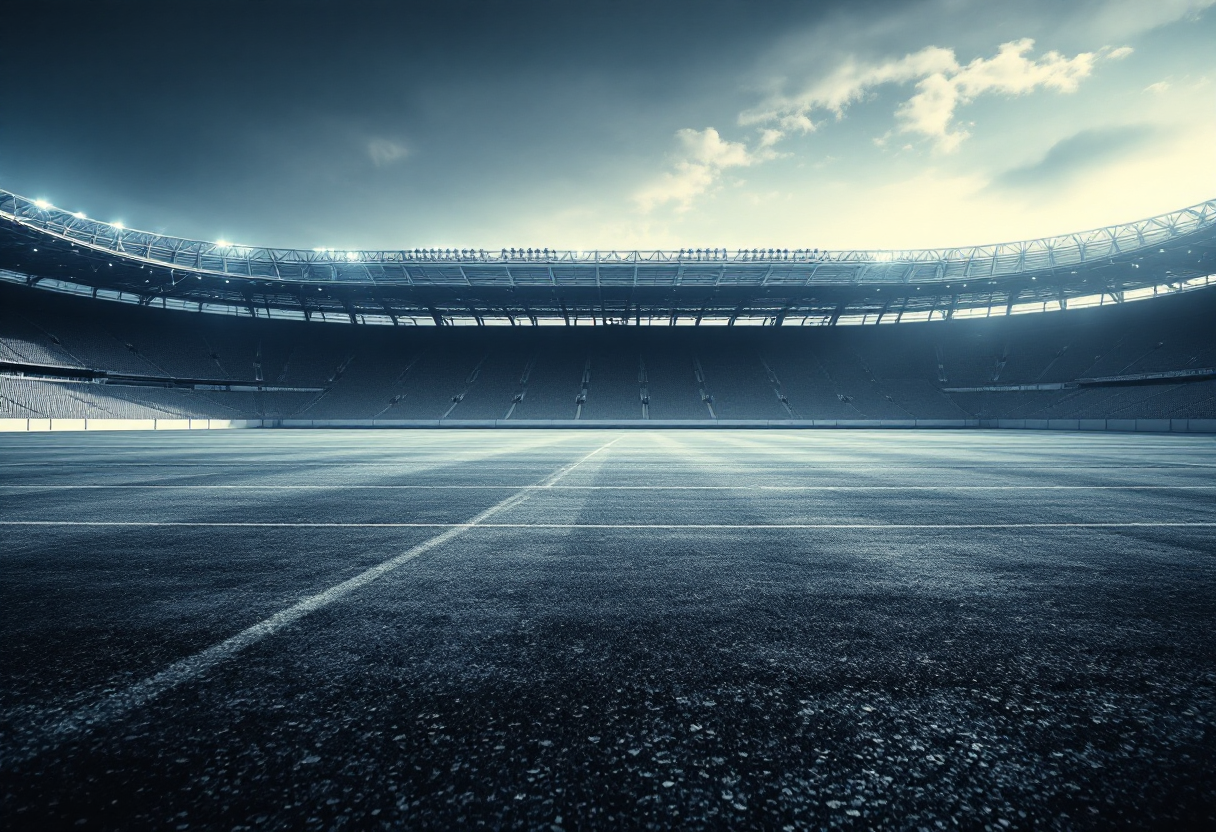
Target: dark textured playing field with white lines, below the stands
[583, 629]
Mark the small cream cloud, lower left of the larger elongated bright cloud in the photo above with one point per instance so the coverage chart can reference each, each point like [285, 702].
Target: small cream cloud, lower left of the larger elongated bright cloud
[705, 156]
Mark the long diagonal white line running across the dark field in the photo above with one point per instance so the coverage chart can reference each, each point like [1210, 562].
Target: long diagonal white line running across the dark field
[121, 702]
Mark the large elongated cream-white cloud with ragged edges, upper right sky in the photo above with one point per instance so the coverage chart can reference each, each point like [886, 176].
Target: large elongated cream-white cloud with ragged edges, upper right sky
[942, 87]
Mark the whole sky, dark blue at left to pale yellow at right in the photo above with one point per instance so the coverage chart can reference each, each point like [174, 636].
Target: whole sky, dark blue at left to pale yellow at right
[611, 123]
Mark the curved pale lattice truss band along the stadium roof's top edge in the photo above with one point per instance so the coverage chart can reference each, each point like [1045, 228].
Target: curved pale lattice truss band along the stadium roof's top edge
[806, 265]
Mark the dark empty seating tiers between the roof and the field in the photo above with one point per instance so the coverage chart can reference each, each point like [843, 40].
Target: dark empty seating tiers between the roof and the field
[1138, 361]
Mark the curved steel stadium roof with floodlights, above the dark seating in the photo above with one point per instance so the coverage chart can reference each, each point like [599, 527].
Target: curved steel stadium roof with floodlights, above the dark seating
[46, 246]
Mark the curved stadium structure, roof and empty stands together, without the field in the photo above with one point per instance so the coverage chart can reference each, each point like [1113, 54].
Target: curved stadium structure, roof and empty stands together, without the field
[607, 338]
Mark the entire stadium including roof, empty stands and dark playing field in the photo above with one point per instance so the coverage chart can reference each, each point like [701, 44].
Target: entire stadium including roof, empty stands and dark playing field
[615, 555]
